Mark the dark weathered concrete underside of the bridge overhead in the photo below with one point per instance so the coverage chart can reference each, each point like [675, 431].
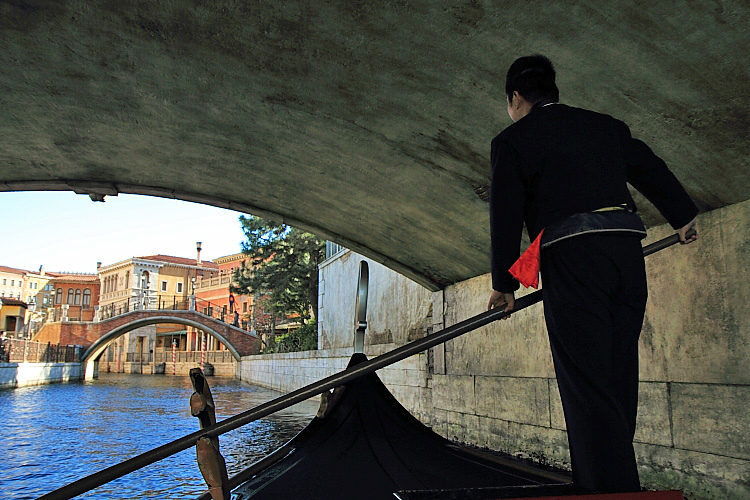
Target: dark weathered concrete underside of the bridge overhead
[366, 122]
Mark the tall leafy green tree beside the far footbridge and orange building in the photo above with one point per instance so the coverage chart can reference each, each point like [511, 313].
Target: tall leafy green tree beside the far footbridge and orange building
[283, 267]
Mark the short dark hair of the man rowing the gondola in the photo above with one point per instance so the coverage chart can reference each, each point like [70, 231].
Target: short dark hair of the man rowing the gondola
[533, 77]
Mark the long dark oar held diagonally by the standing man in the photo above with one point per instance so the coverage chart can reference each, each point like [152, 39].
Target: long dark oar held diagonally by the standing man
[337, 379]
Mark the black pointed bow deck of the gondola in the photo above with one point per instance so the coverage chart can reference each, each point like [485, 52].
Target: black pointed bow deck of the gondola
[368, 446]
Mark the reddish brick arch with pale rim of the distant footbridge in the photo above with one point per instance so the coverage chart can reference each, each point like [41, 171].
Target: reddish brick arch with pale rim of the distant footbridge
[238, 341]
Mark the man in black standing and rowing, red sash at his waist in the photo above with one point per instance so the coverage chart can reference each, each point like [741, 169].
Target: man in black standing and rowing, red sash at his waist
[563, 172]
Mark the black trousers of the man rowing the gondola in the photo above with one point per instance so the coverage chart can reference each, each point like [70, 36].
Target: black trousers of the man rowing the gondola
[594, 290]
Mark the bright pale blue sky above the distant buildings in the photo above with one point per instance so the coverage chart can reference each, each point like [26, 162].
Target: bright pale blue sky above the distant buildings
[65, 231]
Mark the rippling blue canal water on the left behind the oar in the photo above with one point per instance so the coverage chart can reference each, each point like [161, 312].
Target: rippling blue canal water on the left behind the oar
[55, 434]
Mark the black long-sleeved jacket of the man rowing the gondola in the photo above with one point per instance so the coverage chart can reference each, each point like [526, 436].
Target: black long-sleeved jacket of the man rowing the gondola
[558, 161]
